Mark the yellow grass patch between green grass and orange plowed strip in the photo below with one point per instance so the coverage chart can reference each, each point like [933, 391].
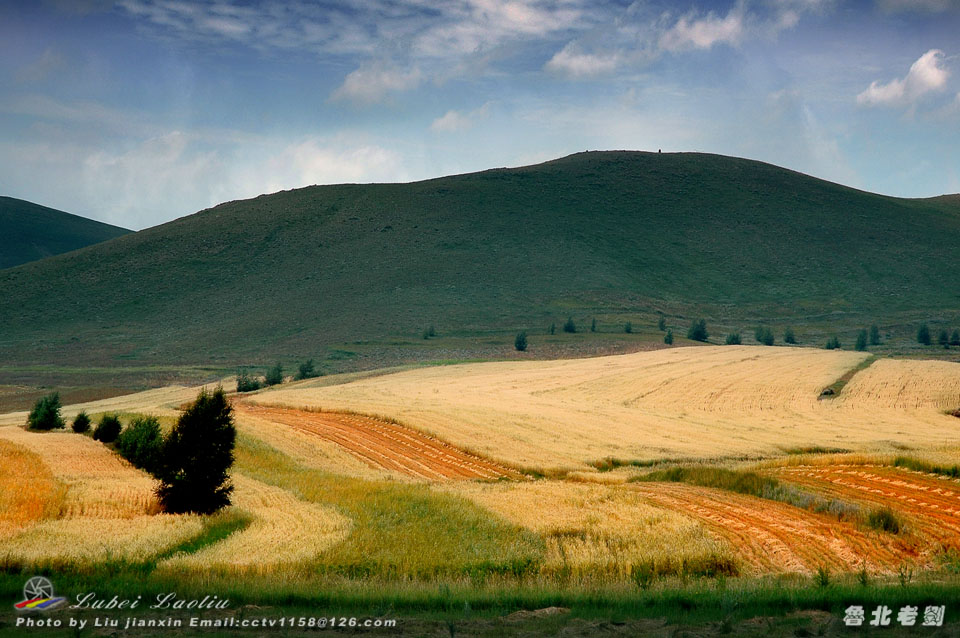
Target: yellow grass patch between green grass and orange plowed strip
[596, 528]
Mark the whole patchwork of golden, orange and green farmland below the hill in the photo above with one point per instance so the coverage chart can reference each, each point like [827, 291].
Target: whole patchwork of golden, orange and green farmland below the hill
[531, 477]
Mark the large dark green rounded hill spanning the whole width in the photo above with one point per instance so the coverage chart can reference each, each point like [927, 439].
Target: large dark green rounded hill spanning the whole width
[618, 235]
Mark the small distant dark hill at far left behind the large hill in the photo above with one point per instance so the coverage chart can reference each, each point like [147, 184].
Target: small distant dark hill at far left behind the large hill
[29, 232]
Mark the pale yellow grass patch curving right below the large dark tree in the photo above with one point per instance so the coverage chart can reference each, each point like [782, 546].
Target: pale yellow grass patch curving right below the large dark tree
[285, 530]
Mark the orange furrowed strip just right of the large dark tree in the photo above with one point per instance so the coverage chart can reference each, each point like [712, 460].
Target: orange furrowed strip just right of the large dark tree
[384, 445]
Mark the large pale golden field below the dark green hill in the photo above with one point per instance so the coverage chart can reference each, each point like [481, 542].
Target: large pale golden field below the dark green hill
[677, 403]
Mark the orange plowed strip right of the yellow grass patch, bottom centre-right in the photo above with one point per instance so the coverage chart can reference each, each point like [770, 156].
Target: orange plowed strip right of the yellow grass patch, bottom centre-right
[775, 537]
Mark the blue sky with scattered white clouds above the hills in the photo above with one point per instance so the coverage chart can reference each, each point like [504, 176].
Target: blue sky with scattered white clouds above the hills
[137, 112]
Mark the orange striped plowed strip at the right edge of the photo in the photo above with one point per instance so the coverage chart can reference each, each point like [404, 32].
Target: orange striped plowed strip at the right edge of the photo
[932, 503]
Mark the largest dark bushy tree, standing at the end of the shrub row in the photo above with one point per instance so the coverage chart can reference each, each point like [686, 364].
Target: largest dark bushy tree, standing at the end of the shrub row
[197, 456]
